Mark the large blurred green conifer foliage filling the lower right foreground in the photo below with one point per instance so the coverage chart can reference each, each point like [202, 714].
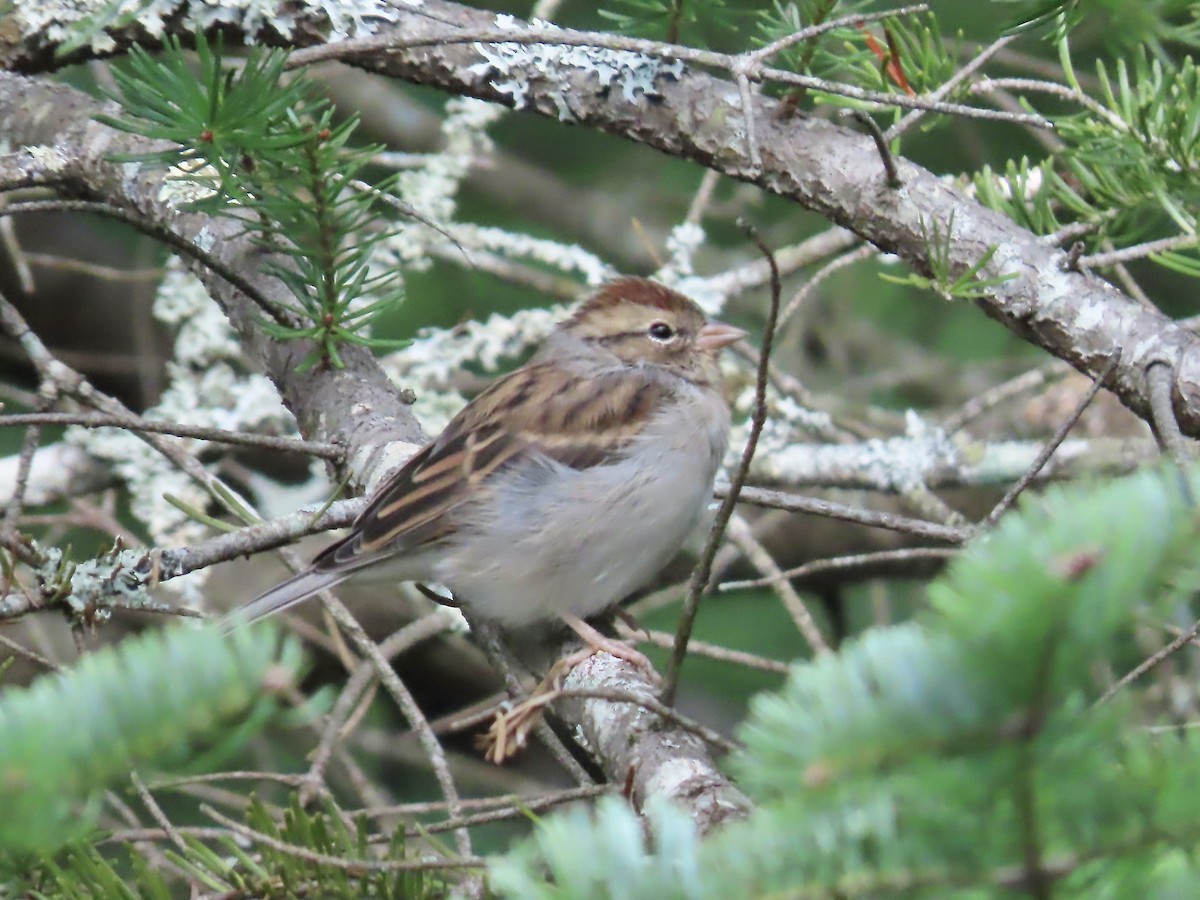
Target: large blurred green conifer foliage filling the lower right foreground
[967, 754]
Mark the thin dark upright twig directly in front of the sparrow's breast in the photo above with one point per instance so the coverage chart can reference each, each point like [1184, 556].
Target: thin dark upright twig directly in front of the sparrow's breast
[704, 569]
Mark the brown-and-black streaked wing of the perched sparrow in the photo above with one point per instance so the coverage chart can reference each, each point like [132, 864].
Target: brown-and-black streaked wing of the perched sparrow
[575, 428]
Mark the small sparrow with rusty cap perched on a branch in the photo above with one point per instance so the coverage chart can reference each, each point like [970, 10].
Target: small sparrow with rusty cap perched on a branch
[566, 485]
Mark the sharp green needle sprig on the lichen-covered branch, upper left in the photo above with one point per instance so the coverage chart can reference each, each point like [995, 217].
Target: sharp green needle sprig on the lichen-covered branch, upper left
[262, 149]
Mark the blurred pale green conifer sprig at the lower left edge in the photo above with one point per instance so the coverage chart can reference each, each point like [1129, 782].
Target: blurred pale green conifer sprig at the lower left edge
[148, 701]
